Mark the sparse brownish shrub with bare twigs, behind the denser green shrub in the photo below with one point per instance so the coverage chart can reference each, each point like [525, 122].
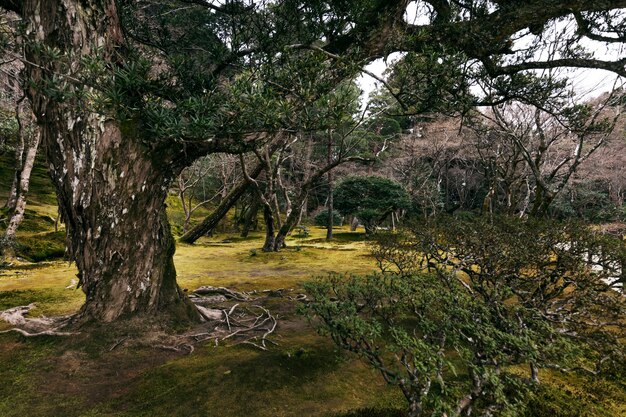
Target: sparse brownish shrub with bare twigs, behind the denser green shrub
[556, 272]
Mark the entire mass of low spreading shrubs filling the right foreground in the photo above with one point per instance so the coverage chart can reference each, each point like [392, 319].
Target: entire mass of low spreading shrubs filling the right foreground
[470, 300]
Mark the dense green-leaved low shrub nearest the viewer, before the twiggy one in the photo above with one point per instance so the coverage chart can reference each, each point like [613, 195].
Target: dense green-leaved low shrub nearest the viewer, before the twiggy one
[434, 340]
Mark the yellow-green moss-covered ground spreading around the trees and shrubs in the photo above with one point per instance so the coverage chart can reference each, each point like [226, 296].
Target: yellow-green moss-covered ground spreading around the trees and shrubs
[92, 374]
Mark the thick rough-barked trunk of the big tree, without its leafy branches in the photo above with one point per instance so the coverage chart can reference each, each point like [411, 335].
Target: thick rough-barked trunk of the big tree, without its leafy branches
[111, 188]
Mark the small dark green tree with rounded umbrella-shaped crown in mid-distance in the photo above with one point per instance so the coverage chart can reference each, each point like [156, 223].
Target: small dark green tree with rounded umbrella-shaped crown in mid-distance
[371, 199]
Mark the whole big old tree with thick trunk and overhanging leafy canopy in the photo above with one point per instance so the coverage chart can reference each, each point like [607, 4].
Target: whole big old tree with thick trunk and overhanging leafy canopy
[129, 93]
